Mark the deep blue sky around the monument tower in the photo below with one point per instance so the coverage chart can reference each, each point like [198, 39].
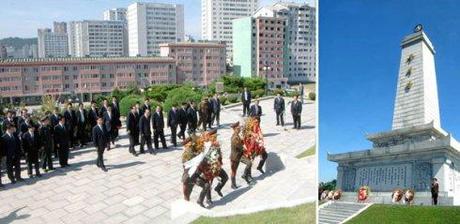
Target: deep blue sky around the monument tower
[359, 60]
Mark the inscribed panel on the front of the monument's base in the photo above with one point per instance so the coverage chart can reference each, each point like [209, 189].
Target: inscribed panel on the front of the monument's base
[384, 177]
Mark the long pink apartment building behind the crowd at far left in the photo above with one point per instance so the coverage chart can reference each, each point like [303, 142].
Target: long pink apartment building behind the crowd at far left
[26, 80]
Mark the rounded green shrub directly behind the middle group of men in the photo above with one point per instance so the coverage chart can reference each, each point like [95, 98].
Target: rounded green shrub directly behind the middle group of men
[182, 94]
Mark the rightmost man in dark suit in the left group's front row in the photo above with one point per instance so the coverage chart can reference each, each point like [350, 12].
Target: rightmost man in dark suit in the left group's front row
[62, 141]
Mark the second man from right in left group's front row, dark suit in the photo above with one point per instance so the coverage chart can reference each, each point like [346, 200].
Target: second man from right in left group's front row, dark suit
[46, 143]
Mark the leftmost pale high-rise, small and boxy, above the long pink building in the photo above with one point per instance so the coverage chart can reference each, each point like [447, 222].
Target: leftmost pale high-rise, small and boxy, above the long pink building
[52, 44]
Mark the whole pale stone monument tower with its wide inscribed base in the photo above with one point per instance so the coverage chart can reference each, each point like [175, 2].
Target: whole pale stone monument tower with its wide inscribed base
[417, 149]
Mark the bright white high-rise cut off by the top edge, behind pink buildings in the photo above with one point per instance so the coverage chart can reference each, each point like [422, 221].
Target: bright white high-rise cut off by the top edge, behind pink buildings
[217, 16]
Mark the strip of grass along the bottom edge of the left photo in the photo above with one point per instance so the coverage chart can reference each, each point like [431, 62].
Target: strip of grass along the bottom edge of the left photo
[305, 213]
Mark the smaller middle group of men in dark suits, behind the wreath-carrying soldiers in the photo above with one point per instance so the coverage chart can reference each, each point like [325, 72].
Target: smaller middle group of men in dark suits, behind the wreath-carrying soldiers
[141, 121]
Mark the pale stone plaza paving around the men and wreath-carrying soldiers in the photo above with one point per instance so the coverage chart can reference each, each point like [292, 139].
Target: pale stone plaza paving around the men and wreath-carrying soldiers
[142, 189]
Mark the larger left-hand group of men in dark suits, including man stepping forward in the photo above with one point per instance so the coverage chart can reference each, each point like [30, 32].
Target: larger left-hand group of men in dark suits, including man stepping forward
[56, 133]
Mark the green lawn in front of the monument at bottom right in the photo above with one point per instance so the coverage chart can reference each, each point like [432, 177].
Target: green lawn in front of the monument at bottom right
[403, 214]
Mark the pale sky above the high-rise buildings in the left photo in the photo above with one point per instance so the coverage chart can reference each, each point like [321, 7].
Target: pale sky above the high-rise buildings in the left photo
[22, 18]
